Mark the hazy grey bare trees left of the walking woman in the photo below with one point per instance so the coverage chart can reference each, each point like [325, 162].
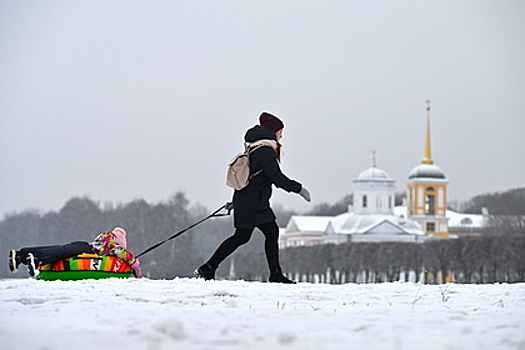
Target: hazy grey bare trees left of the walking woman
[146, 224]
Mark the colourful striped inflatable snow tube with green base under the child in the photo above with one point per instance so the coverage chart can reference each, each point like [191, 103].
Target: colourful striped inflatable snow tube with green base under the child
[85, 266]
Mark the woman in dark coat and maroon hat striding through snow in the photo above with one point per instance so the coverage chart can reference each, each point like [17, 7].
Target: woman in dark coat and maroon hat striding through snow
[252, 204]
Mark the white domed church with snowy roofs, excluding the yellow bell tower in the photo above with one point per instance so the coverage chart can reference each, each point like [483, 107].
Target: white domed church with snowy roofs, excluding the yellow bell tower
[373, 218]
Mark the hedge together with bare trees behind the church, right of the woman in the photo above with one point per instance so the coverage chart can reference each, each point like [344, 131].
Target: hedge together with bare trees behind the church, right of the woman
[497, 256]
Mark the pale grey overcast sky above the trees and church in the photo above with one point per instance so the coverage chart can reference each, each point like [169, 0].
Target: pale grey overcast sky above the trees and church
[119, 100]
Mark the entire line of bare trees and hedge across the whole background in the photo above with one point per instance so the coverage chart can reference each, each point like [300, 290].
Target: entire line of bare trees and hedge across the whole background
[497, 256]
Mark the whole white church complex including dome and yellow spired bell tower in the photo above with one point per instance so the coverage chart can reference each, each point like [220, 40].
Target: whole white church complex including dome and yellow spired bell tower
[374, 217]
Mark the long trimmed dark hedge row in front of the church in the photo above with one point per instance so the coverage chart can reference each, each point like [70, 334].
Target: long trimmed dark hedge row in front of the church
[467, 260]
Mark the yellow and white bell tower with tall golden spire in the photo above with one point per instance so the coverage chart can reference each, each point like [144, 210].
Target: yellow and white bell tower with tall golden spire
[427, 192]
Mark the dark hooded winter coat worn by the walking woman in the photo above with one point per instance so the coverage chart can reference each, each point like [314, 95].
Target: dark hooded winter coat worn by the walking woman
[252, 203]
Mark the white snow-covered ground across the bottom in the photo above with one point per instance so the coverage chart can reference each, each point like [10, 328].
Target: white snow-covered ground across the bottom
[195, 314]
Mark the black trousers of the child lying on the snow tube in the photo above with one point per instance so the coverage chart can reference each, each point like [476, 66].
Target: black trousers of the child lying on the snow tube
[51, 253]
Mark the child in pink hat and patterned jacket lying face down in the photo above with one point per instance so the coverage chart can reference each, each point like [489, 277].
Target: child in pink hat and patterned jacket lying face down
[107, 243]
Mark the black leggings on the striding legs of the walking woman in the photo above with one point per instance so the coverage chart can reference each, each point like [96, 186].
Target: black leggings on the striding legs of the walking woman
[242, 236]
